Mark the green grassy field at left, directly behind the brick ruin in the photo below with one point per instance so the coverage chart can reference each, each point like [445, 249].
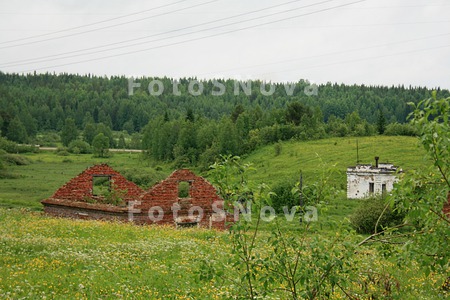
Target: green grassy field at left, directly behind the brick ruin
[48, 172]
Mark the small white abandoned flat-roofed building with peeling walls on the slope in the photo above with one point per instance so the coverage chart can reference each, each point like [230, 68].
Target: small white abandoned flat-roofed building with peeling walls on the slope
[366, 180]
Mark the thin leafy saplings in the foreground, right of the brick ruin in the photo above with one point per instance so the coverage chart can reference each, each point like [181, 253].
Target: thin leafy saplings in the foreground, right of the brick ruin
[303, 264]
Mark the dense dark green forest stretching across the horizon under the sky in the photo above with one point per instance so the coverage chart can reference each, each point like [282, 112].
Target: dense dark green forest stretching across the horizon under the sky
[192, 129]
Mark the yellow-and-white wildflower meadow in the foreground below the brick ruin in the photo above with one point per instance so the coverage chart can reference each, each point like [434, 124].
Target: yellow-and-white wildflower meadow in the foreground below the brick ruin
[49, 258]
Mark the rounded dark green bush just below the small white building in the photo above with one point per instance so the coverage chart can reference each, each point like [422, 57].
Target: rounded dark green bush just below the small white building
[366, 216]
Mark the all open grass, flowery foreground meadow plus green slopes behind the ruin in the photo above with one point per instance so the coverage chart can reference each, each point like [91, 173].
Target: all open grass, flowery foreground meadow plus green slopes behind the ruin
[44, 257]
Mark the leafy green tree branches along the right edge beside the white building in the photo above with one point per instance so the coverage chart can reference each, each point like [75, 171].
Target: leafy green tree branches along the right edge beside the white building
[422, 193]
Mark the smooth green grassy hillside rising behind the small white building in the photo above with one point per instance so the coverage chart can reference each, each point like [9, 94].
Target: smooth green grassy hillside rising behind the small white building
[335, 153]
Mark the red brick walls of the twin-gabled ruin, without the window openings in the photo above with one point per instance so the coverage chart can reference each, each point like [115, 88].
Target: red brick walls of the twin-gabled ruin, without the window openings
[68, 201]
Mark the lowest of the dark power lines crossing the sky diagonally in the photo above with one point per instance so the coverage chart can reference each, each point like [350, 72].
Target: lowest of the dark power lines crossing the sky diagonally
[201, 38]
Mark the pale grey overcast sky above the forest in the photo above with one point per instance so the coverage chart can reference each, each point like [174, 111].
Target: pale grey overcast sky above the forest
[372, 42]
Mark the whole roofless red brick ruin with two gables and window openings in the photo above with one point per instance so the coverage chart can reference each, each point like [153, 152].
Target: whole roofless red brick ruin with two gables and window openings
[101, 193]
